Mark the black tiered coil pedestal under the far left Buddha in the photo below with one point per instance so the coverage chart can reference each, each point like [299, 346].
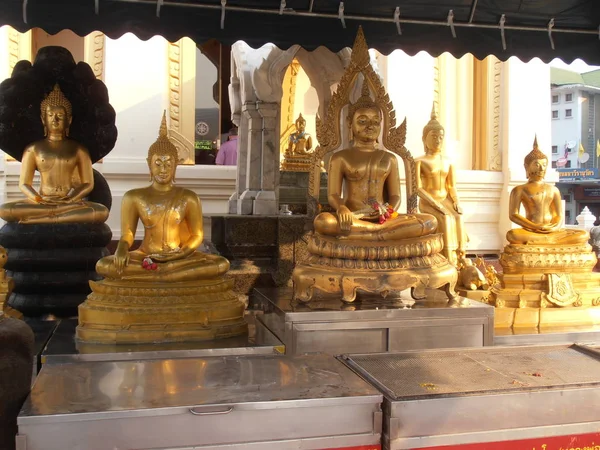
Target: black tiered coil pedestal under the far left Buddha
[51, 265]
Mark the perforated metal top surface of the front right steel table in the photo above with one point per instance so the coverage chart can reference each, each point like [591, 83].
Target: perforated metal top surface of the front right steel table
[463, 372]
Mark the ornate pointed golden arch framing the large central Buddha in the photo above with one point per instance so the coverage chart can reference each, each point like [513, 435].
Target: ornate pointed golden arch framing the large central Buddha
[329, 133]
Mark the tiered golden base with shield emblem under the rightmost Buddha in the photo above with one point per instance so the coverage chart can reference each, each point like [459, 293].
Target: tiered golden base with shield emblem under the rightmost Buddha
[547, 286]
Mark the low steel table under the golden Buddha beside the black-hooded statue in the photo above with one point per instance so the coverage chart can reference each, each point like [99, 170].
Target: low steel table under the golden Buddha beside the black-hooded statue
[62, 347]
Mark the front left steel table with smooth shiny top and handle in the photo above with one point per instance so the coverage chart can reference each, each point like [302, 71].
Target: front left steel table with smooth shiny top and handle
[272, 402]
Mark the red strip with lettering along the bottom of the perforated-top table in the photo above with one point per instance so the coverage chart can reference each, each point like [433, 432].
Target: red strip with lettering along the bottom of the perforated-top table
[575, 442]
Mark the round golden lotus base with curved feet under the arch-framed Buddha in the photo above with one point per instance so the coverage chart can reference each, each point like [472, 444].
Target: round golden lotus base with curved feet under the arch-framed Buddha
[344, 267]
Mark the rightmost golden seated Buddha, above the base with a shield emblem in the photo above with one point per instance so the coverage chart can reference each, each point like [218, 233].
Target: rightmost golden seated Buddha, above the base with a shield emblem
[543, 208]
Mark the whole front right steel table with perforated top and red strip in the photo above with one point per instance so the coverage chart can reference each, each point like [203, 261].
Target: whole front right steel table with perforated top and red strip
[508, 396]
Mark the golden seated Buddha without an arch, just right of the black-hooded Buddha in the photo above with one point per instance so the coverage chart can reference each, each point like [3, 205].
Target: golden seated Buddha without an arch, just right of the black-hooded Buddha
[172, 221]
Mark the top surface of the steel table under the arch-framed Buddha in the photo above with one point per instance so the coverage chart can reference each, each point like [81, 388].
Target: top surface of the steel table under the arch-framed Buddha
[279, 301]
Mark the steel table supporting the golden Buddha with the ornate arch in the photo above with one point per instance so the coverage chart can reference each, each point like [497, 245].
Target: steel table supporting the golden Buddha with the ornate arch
[371, 325]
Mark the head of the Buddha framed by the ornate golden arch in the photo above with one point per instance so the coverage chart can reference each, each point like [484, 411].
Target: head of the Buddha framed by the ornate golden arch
[364, 118]
